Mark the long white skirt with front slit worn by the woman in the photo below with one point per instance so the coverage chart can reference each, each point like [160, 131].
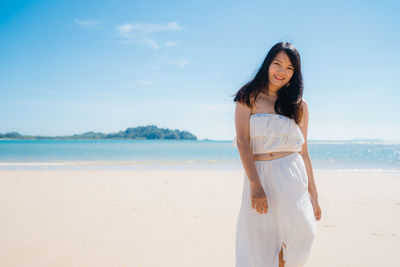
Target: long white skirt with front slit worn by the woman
[289, 223]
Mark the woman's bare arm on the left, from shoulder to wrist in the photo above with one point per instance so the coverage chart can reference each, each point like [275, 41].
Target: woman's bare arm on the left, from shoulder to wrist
[242, 117]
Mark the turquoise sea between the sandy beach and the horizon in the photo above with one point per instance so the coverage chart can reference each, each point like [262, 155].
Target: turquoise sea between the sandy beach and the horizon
[178, 154]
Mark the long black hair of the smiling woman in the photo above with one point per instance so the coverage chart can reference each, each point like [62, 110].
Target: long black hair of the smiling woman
[289, 98]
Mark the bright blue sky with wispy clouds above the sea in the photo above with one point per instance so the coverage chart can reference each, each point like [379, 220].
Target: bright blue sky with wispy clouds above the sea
[74, 66]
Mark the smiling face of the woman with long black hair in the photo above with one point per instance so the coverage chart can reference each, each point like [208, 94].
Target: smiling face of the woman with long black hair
[280, 71]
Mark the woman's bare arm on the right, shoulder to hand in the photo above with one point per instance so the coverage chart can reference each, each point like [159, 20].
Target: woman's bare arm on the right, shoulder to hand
[312, 189]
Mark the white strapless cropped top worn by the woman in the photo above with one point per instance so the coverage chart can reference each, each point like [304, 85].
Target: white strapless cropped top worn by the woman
[271, 132]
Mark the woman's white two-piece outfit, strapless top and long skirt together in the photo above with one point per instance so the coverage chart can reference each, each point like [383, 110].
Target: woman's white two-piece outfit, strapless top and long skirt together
[289, 223]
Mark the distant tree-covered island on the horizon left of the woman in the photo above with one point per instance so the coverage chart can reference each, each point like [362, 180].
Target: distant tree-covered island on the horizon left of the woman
[141, 132]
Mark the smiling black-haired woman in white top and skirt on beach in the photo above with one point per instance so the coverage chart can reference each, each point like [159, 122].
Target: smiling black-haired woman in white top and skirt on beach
[279, 210]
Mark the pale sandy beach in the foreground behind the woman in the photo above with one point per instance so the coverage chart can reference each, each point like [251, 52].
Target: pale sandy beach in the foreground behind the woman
[180, 218]
